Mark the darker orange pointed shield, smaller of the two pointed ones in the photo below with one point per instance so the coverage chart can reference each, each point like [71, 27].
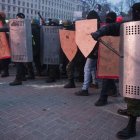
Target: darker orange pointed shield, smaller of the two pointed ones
[68, 45]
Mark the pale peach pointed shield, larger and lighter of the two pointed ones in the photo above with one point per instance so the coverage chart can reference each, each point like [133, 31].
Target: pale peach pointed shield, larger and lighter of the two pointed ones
[84, 40]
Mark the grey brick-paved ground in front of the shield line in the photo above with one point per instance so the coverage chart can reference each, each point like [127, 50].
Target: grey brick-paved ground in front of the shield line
[40, 111]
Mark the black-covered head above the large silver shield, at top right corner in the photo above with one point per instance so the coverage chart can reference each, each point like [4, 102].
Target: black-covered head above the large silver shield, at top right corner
[136, 11]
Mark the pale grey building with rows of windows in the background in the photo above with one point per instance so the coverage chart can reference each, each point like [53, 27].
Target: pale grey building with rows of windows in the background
[59, 9]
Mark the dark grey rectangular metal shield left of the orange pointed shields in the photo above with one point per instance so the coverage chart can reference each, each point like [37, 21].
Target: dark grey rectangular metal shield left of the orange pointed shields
[50, 45]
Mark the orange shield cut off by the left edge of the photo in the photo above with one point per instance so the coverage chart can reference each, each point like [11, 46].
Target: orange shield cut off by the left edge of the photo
[4, 46]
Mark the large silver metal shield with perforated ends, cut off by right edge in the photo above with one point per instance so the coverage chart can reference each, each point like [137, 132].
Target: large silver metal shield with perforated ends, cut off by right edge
[130, 70]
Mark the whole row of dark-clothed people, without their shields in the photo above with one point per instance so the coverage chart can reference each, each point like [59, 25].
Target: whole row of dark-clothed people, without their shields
[80, 67]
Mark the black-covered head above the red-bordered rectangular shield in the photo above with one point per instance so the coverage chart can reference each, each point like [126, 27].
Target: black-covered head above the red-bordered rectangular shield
[111, 17]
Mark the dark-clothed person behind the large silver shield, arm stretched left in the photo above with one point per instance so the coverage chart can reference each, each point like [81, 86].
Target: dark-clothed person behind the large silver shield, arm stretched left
[133, 104]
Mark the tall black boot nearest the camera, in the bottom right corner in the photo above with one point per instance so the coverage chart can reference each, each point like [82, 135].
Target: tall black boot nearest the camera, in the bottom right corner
[130, 130]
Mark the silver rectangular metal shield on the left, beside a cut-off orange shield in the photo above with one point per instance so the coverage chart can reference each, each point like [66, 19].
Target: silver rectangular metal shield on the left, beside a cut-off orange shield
[21, 40]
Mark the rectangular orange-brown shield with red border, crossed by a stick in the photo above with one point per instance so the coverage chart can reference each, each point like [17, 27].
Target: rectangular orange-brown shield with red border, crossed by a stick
[108, 61]
